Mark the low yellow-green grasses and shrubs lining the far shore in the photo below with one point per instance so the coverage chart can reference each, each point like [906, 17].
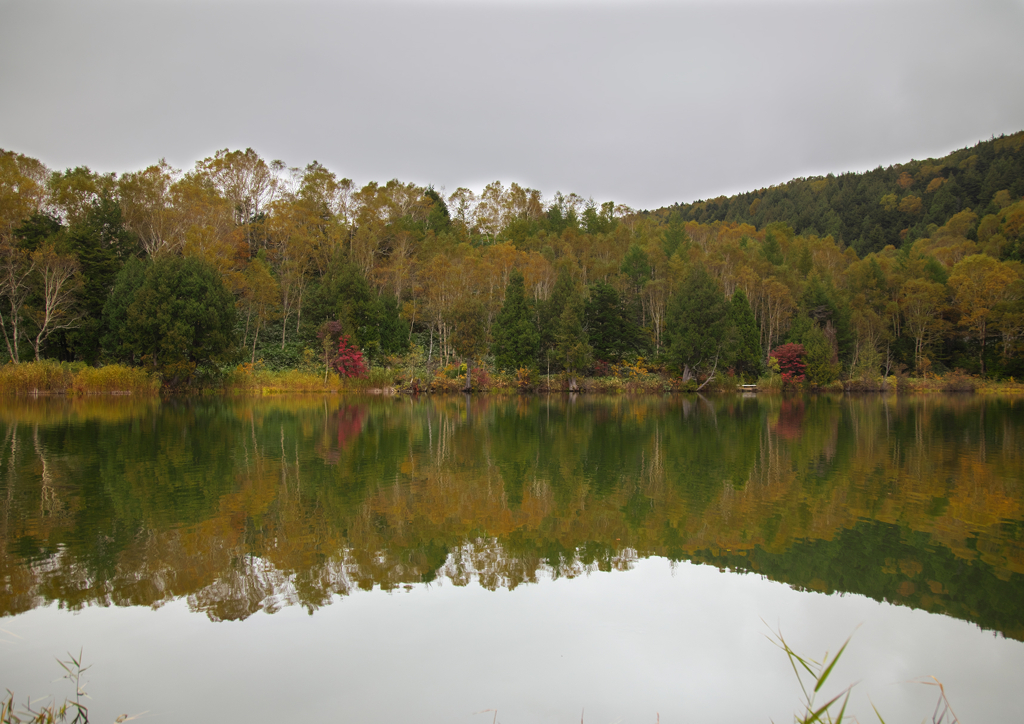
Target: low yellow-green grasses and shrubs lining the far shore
[50, 377]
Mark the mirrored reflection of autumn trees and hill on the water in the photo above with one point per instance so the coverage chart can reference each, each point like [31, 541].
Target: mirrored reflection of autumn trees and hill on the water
[246, 506]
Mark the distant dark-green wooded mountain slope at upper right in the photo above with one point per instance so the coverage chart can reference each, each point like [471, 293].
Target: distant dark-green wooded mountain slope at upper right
[886, 206]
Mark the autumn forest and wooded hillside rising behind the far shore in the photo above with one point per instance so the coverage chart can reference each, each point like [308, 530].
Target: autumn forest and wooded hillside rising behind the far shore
[911, 270]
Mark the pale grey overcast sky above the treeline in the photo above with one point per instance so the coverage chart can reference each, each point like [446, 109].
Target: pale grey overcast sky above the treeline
[642, 103]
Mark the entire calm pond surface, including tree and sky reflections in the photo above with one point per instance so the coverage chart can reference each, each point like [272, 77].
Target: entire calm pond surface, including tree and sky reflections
[534, 560]
